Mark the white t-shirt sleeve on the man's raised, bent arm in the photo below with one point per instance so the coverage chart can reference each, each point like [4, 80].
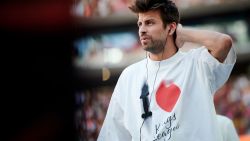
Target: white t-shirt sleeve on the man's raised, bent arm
[216, 73]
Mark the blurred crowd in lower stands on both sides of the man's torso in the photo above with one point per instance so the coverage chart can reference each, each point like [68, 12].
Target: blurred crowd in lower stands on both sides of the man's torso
[231, 100]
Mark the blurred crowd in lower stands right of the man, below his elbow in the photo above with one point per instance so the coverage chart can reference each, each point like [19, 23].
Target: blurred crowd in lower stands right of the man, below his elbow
[233, 101]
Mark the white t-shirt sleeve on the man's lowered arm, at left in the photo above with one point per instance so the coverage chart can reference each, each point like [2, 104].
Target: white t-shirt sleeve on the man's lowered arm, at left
[113, 128]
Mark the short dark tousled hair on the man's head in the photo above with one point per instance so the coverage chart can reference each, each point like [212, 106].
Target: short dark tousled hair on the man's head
[168, 10]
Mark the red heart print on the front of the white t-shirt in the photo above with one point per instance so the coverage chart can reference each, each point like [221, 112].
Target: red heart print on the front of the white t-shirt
[167, 96]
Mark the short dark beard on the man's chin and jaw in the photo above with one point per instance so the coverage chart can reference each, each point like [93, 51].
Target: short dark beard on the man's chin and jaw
[155, 46]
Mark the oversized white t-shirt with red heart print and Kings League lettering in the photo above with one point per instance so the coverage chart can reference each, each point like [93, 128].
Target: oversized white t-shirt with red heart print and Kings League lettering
[181, 102]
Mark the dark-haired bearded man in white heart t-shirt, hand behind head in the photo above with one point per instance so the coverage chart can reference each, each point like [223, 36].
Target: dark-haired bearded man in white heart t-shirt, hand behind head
[168, 96]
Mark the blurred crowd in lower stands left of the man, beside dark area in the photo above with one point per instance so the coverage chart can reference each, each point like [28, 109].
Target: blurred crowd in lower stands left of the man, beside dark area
[92, 106]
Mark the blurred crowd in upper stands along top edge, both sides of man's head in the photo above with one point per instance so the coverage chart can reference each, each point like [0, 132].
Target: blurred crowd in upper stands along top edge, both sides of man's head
[103, 8]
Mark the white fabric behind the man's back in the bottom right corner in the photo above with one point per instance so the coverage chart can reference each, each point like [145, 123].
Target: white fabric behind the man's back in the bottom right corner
[227, 128]
